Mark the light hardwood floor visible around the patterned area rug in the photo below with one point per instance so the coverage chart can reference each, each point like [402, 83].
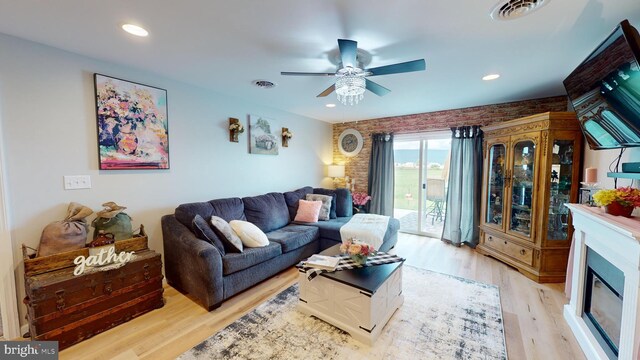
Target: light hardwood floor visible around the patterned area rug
[534, 326]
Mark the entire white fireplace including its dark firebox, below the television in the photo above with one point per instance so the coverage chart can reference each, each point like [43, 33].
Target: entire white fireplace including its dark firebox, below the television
[604, 284]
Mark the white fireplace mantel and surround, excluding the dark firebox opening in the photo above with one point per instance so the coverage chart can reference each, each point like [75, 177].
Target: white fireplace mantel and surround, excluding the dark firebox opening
[616, 239]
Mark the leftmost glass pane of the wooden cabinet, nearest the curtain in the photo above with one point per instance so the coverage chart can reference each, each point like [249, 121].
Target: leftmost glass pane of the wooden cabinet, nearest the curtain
[495, 185]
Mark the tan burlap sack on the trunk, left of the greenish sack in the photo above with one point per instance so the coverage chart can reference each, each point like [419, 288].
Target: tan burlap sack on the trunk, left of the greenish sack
[65, 235]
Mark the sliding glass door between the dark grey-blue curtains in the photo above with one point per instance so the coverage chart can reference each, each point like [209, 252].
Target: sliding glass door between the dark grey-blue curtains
[421, 175]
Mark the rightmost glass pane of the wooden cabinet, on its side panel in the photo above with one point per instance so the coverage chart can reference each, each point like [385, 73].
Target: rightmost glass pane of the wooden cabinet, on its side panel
[560, 189]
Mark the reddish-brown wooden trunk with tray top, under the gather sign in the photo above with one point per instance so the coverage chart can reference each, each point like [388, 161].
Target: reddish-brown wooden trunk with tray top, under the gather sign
[68, 308]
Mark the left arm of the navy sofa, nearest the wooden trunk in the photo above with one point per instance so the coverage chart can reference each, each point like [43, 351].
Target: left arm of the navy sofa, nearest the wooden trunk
[192, 265]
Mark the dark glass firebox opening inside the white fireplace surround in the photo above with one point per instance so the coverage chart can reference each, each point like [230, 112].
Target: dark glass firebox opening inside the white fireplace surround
[603, 302]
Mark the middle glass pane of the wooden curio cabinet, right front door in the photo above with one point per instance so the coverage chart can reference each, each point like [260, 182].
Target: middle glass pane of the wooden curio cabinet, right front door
[522, 181]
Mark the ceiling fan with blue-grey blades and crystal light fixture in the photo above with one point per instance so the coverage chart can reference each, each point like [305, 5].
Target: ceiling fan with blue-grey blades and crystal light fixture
[351, 81]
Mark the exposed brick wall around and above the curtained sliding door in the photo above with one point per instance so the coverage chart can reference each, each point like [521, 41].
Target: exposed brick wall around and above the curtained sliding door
[357, 167]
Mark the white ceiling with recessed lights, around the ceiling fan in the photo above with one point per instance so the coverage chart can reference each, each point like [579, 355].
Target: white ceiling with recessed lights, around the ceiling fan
[224, 45]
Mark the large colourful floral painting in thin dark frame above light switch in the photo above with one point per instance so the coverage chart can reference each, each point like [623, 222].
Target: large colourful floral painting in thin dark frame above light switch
[133, 128]
